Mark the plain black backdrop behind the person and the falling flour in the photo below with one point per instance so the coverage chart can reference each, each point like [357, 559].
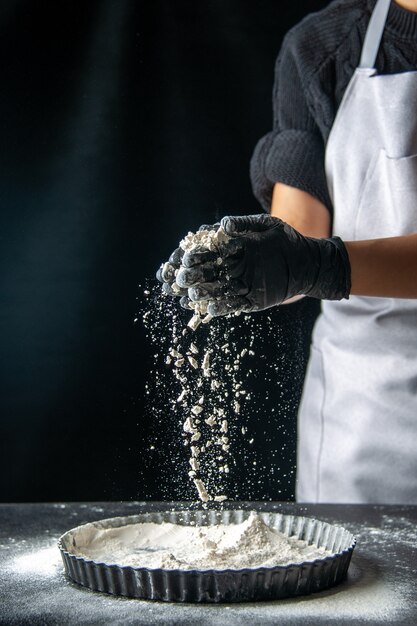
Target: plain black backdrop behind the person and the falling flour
[123, 125]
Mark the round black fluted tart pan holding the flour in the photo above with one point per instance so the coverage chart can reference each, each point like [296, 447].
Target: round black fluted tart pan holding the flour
[213, 585]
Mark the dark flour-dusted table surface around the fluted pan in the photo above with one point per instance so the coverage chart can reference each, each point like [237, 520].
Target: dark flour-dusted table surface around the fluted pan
[380, 587]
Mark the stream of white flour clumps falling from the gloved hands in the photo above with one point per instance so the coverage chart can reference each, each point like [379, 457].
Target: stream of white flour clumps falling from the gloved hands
[205, 426]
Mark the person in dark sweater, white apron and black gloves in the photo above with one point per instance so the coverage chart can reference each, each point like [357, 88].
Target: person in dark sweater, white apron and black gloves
[338, 177]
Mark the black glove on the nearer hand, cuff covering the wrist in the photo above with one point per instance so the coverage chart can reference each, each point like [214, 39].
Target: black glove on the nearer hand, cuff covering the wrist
[265, 262]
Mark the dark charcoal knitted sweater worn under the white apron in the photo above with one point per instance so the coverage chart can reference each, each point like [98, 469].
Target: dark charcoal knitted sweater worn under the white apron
[314, 66]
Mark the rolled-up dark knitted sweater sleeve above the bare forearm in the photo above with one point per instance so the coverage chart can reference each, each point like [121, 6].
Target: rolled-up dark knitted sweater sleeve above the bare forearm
[293, 152]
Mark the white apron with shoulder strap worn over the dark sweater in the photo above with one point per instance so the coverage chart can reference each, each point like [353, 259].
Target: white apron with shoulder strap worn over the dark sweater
[358, 415]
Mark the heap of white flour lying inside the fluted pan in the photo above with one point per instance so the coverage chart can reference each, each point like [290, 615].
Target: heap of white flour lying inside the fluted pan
[249, 544]
